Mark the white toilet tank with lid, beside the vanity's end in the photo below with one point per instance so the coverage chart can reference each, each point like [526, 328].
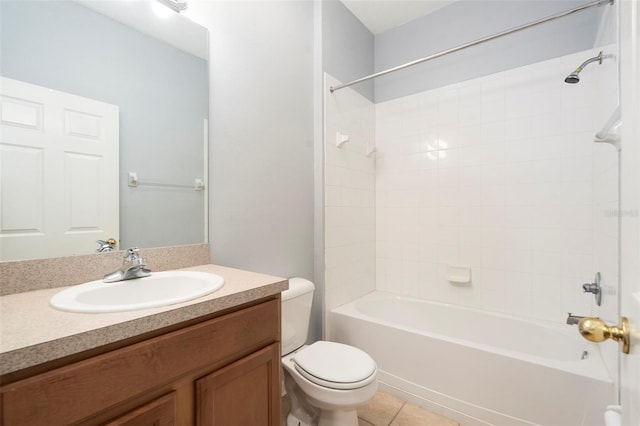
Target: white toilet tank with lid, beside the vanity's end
[296, 312]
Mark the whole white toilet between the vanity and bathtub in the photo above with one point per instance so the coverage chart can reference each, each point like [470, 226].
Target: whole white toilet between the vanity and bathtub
[334, 378]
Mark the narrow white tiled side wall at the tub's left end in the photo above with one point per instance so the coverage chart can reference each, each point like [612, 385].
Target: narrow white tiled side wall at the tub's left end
[349, 196]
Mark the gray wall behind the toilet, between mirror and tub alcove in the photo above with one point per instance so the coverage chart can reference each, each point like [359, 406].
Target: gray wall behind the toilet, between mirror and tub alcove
[261, 134]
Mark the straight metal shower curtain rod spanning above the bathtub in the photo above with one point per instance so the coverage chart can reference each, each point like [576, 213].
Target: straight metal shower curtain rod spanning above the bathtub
[472, 43]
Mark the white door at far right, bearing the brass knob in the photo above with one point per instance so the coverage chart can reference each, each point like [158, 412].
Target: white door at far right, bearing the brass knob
[629, 13]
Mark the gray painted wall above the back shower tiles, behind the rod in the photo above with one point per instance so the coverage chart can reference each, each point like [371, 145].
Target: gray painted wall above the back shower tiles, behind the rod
[469, 20]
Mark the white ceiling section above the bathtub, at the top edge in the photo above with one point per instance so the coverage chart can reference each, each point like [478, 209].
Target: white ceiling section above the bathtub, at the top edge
[382, 15]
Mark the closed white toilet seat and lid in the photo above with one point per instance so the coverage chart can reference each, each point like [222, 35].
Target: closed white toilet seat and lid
[335, 365]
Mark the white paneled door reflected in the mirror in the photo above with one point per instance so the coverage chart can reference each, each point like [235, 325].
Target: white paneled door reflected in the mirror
[59, 172]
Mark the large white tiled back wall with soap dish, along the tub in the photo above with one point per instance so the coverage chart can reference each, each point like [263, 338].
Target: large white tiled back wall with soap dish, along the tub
[497, 174]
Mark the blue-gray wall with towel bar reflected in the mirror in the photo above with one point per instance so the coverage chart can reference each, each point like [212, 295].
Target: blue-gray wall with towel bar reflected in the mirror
[162, 93]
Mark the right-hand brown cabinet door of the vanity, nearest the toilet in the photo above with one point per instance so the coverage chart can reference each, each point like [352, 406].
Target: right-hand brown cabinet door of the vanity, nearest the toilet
[246, 392]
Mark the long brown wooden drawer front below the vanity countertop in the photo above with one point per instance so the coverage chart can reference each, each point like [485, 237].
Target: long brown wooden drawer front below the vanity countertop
[74, 392]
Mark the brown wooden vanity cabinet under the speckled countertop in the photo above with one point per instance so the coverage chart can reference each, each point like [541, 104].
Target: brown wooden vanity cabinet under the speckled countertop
[222, 371]
